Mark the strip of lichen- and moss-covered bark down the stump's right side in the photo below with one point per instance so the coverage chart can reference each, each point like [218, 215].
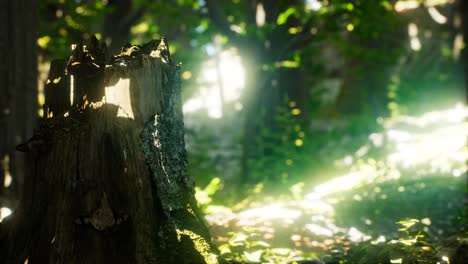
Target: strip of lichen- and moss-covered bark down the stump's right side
[164, 150]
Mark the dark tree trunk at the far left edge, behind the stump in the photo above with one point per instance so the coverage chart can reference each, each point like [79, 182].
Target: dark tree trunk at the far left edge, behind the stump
[18, 91]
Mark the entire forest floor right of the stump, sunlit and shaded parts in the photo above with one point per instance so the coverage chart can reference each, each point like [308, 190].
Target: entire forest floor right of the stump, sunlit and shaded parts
[406, 206]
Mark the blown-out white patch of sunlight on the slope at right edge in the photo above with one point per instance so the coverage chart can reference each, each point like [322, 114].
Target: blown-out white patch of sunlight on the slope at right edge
[439, 146]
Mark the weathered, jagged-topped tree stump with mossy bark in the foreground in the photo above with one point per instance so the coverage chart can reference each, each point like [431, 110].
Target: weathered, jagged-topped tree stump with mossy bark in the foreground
[109, 181]
